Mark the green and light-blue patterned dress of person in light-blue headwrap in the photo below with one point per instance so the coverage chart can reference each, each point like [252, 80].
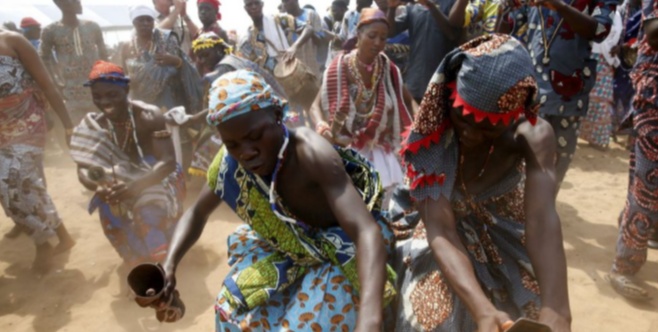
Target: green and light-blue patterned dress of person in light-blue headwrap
[285, 276]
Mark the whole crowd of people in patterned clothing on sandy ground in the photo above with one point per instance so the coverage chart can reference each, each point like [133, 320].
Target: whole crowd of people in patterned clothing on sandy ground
[396, 165]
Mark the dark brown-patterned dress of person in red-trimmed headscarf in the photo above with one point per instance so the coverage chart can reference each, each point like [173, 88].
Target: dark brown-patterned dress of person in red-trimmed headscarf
[491, 226]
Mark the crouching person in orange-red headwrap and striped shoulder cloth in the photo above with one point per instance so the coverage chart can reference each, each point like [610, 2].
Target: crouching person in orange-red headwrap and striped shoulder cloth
[124, 153]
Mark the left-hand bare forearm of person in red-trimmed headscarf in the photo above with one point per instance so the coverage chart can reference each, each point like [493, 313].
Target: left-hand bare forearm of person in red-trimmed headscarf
[452, 258]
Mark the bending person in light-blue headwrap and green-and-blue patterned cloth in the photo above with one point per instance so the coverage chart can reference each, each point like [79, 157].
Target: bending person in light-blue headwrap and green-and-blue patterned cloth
[315, 245]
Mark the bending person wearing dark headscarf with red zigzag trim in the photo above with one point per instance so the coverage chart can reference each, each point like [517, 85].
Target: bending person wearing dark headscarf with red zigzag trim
[481, 168]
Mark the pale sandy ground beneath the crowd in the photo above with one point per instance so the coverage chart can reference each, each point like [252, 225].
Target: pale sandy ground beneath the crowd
[86, 293]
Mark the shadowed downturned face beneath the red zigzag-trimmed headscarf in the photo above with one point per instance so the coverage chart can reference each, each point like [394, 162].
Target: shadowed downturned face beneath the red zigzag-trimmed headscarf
[472, 133]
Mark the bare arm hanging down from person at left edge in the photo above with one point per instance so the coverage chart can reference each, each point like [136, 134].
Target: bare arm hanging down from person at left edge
[33, 64]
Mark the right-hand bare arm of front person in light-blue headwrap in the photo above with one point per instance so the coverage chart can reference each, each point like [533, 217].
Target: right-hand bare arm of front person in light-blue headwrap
[326, 168]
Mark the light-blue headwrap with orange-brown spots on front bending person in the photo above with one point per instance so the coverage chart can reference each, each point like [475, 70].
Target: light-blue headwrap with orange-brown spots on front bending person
[239, 92]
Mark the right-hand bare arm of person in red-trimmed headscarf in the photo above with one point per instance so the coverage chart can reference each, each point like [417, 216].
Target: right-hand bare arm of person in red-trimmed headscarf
[543, 232]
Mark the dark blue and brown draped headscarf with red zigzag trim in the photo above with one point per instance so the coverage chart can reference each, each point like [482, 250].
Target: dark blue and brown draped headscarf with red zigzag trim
[490, 77]
